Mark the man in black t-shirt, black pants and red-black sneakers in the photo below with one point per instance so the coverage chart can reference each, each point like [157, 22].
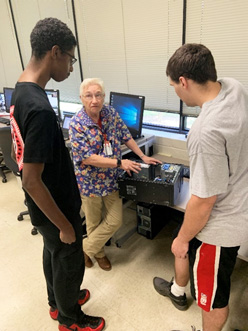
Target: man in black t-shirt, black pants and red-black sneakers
[47, 174]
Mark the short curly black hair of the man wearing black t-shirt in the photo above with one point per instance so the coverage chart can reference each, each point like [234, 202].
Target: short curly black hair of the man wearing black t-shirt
[48, 33]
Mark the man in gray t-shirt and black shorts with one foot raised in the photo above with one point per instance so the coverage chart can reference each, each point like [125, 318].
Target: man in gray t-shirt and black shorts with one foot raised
[216, 218]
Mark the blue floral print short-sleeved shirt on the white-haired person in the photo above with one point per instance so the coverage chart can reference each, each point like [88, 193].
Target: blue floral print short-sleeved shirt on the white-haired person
[87, 139]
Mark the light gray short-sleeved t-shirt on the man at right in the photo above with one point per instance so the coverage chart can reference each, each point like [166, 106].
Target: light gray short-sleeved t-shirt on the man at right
[218, 152]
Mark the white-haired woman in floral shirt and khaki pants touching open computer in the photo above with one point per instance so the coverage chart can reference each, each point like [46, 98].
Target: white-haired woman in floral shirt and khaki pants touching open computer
[96, 134]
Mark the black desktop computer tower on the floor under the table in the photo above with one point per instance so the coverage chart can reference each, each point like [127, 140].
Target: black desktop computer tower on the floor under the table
[151, 219]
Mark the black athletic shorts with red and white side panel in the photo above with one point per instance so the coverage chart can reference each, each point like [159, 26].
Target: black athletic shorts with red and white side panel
[210, 273]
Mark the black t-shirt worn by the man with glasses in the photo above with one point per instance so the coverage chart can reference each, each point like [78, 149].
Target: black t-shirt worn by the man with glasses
[44, 143]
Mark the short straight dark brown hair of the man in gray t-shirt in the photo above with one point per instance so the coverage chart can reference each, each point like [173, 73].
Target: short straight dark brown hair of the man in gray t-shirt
[193, 61]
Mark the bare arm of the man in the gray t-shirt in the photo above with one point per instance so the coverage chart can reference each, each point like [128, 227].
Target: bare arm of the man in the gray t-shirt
[196, 216]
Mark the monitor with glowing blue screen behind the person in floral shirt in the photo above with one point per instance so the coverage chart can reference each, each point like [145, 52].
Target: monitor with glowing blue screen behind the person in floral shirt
[130, 108]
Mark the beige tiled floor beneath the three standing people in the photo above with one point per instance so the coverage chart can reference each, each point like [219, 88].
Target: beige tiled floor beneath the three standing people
[124, 296]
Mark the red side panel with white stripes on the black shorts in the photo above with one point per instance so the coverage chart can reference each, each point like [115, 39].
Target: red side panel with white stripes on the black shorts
[205, 275]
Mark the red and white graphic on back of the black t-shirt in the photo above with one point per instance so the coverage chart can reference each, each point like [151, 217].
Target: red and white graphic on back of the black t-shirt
[17, 139]
